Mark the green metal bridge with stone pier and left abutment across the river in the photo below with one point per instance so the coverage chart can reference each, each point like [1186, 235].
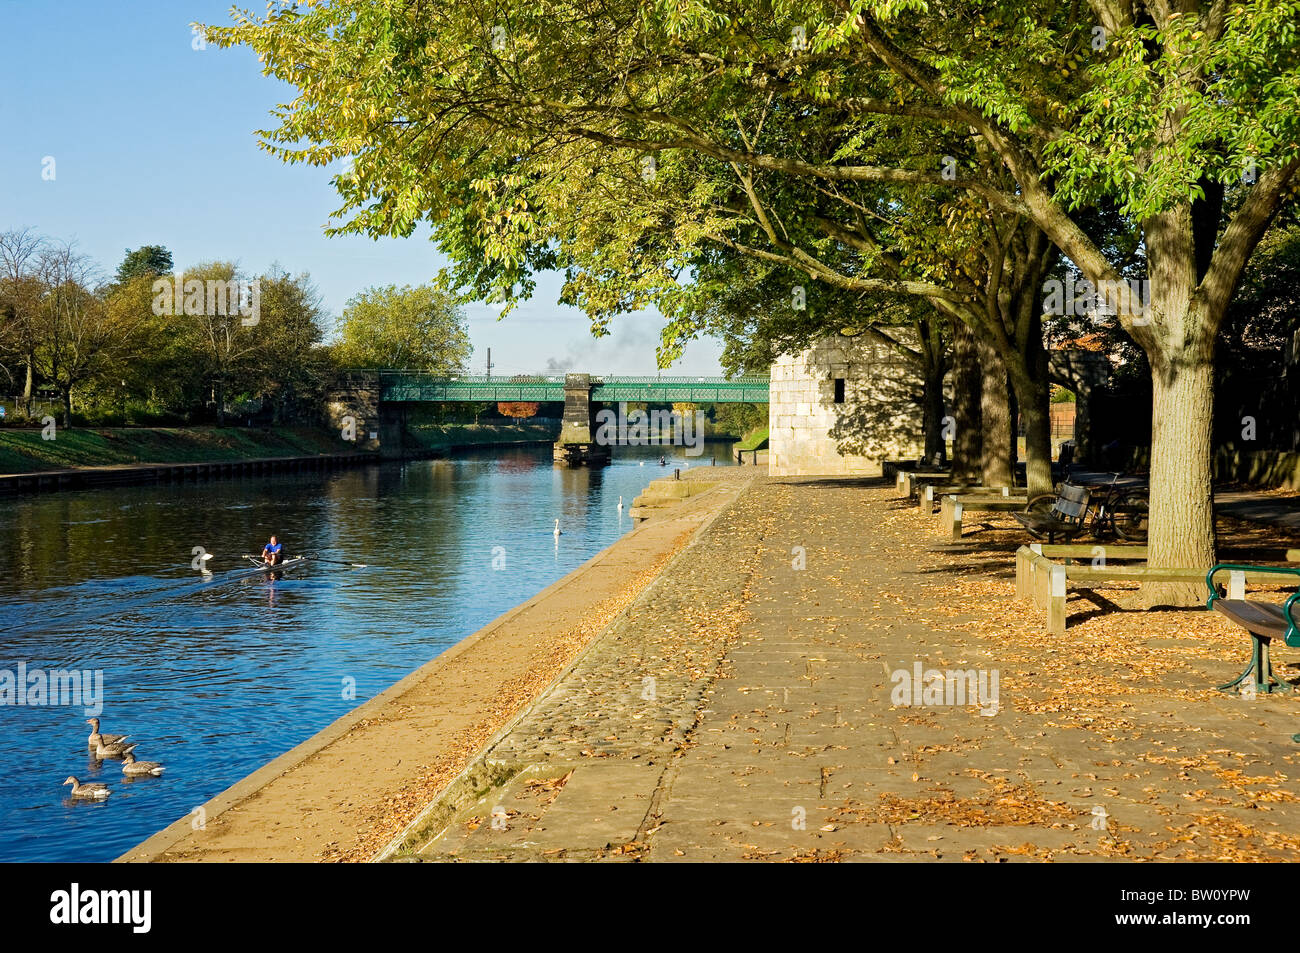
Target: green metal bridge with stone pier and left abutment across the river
[372, 404]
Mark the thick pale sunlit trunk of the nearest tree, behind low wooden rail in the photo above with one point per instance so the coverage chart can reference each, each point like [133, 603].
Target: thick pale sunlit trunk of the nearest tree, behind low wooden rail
[1182, 506]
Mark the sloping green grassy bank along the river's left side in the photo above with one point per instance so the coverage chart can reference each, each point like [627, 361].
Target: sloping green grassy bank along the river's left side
[24, 452]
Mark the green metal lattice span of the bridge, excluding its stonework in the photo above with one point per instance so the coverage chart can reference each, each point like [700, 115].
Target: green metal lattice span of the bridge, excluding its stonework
[413, 385]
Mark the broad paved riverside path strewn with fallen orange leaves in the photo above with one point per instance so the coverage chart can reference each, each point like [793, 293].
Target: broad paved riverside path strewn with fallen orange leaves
[746, 708]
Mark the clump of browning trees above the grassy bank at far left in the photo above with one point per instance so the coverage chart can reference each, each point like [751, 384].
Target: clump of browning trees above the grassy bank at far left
[129, 353]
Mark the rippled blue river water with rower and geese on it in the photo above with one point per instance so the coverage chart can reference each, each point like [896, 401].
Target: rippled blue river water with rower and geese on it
[216, 675]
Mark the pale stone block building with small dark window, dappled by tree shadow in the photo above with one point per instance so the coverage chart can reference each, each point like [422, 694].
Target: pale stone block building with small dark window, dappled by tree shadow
[881, 418]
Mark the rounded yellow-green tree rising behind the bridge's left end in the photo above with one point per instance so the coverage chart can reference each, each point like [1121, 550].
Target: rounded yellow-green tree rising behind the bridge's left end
[411, 328]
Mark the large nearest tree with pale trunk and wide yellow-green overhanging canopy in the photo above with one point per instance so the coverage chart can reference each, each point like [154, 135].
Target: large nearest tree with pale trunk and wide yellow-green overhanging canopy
[528, 153]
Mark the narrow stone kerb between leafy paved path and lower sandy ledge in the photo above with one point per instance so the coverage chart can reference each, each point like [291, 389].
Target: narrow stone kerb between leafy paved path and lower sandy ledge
[482, 774]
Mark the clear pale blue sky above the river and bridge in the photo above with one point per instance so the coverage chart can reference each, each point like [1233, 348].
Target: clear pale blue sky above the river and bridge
[154, 145]
